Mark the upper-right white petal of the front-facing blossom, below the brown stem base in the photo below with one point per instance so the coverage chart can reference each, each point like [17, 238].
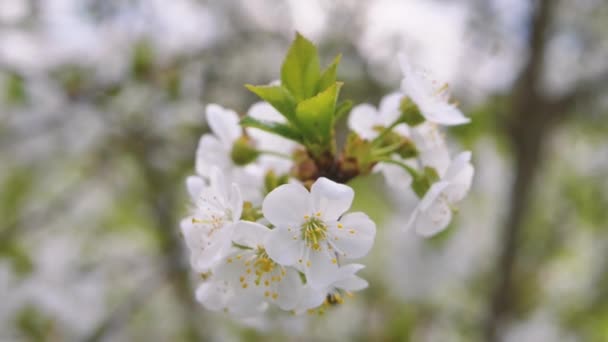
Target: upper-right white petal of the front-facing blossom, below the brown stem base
[330, 198]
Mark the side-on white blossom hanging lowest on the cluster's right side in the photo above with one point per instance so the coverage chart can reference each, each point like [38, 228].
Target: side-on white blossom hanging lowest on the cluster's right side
[434, 212]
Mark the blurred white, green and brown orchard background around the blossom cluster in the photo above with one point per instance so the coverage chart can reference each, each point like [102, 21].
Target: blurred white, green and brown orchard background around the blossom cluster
[102, 104]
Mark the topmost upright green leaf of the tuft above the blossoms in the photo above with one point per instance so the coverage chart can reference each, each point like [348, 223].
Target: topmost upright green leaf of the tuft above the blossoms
[300, 71]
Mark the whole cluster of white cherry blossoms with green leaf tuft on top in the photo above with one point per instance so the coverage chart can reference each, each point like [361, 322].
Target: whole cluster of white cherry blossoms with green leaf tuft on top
[270, 225]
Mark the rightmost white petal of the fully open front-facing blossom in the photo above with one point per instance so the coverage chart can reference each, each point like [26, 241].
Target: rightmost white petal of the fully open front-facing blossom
[353, 235]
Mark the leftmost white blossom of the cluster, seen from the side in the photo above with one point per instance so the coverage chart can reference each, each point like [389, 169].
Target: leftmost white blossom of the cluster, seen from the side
[208, 232]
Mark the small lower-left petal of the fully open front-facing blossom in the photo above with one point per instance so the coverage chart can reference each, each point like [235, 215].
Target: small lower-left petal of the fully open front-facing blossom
[281, 246]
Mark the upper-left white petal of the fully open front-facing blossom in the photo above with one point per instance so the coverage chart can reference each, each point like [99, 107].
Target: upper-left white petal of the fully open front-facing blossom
[287, 205]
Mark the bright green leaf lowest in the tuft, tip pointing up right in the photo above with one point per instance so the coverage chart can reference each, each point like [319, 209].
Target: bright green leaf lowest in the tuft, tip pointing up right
[316, 115]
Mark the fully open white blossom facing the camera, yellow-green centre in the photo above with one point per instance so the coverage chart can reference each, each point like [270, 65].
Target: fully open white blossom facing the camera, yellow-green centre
[311, 232]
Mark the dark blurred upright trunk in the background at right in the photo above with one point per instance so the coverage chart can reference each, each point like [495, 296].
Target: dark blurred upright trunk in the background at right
[527, 129]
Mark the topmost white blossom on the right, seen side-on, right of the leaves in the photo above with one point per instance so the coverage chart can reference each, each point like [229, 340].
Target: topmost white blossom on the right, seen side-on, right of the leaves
[431, 97]
